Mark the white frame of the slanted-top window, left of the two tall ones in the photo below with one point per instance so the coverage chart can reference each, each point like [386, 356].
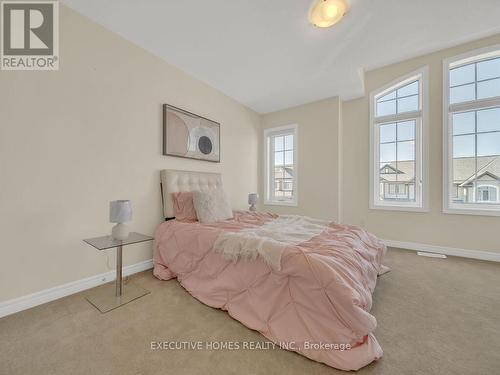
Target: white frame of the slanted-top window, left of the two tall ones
[420, 116]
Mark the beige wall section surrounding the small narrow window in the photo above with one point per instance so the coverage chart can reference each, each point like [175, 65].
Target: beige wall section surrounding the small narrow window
[318, 157]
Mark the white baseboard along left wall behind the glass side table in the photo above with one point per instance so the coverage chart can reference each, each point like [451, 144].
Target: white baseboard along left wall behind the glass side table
[31, 300]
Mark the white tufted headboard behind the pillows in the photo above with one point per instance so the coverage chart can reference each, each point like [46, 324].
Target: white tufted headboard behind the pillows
[173, 181]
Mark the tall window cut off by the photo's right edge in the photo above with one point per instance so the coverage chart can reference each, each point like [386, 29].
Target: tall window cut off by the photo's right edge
[472, 132]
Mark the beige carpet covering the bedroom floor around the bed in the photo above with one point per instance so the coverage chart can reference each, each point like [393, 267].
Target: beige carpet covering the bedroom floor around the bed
[434, 316]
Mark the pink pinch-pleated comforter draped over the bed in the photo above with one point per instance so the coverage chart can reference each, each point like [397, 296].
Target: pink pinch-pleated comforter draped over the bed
[321, 296]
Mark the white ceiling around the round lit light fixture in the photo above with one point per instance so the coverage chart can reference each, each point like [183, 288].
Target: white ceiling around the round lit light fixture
[266, 55]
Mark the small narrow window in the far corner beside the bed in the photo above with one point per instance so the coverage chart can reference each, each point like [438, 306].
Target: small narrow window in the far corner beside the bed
[281, 165]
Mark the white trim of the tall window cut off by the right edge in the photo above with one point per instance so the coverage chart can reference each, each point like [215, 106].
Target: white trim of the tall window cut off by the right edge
[463, 59]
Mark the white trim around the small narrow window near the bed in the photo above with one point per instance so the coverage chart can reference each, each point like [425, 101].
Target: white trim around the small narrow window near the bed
[267, 181]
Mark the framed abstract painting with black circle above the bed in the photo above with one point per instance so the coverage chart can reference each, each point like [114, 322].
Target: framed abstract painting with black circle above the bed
[190, 136]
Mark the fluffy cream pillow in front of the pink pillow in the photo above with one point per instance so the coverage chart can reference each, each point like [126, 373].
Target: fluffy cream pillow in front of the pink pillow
[212, 206]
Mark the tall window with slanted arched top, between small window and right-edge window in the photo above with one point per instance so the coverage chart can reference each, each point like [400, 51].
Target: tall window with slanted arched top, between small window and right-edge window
[398, 175]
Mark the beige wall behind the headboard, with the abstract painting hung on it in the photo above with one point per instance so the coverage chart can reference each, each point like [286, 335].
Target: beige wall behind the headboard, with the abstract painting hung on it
[74, 139]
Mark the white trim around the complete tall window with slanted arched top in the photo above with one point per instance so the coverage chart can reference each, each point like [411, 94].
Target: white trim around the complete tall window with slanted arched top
[422, 149]
